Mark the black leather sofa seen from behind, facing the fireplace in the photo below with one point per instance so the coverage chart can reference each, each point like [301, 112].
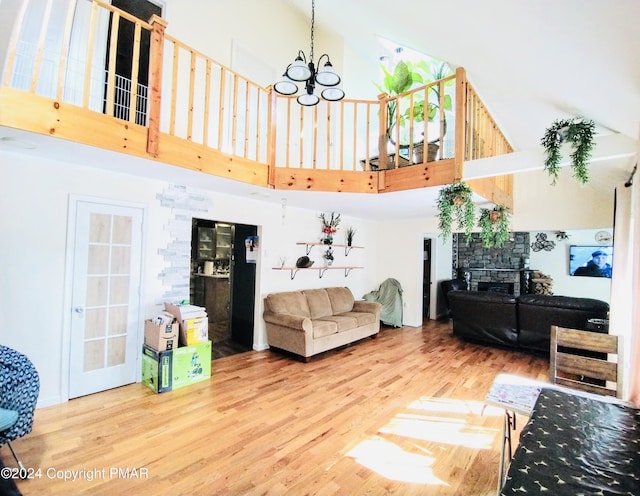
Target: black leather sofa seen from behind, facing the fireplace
[522, 322]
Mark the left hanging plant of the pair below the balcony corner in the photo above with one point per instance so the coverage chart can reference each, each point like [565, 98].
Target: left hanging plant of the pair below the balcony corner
[455, 202]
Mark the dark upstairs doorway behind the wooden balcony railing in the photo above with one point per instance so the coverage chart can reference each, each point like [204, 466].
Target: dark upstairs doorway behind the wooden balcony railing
[142, 9]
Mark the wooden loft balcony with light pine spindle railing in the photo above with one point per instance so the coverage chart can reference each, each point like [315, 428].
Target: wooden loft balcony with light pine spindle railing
[98, 76]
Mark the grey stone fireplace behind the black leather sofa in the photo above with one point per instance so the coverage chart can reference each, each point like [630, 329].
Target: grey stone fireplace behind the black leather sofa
[505, 270]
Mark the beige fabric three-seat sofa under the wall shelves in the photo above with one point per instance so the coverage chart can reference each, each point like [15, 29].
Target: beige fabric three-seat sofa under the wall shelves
[312, 321]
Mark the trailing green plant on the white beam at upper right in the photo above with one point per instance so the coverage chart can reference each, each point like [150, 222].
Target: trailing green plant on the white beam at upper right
[579, 132]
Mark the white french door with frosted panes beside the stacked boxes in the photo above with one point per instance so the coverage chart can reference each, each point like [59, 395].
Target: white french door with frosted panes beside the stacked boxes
[105, 301]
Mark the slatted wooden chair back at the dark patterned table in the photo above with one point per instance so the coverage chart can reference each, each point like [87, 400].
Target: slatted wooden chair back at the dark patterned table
[585, 360]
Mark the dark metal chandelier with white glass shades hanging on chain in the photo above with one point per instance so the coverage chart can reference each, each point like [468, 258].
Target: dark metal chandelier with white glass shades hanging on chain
[302, 71]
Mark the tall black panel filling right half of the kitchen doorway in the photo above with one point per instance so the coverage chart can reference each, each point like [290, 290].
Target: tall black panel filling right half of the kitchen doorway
[243, 284]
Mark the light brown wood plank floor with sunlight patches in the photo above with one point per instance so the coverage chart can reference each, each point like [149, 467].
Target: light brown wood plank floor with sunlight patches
[398, 415]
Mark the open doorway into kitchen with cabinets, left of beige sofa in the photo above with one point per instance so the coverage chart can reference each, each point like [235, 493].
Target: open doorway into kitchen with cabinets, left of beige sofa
[223, 281]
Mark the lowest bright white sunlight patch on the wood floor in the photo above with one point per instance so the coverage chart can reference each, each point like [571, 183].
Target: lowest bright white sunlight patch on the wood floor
[392, 462]
